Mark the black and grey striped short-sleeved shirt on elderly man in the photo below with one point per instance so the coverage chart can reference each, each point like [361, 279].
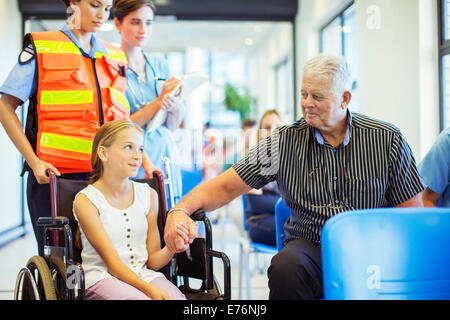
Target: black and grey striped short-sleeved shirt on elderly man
[373, 167]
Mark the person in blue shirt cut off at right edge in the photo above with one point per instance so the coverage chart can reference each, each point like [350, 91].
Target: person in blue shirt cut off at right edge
[435, 171]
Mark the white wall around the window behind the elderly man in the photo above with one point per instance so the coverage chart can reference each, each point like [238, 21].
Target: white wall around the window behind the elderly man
[397, 79]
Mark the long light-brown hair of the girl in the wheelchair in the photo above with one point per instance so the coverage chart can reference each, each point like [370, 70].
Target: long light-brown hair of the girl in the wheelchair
[105, 137]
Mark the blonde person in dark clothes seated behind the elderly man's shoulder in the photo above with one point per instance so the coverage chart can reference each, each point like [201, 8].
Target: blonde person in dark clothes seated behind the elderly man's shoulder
[260, 204]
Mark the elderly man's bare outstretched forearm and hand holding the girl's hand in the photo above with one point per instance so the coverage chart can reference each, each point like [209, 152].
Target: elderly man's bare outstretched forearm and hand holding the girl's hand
[207, 196]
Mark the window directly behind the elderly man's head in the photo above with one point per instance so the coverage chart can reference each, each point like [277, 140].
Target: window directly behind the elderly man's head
[339, 36]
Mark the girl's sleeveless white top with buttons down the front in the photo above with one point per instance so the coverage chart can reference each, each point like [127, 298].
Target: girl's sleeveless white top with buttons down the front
[127, 229]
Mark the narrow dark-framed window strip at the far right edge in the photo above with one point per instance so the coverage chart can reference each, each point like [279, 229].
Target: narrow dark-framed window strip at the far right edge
[444, 63]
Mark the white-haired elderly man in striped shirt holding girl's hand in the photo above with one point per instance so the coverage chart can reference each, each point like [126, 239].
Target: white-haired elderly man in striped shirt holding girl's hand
[330, 161]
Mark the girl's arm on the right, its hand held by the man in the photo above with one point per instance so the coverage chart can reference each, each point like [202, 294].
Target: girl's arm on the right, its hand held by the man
[157, 257]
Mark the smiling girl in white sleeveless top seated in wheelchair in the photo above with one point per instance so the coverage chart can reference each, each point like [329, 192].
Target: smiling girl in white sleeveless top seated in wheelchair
[118, 222]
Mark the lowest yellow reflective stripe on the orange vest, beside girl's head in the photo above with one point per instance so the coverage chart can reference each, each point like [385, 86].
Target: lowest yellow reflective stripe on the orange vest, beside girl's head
[56, 141]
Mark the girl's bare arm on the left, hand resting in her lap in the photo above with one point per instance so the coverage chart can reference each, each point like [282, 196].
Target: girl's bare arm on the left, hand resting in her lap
[88, 218]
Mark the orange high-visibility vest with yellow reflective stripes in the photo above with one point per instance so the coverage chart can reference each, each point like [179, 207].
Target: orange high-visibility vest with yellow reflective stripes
[75, 96]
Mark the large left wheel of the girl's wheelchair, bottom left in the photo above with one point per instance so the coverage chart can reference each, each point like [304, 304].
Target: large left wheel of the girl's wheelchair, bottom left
[40, 274]
